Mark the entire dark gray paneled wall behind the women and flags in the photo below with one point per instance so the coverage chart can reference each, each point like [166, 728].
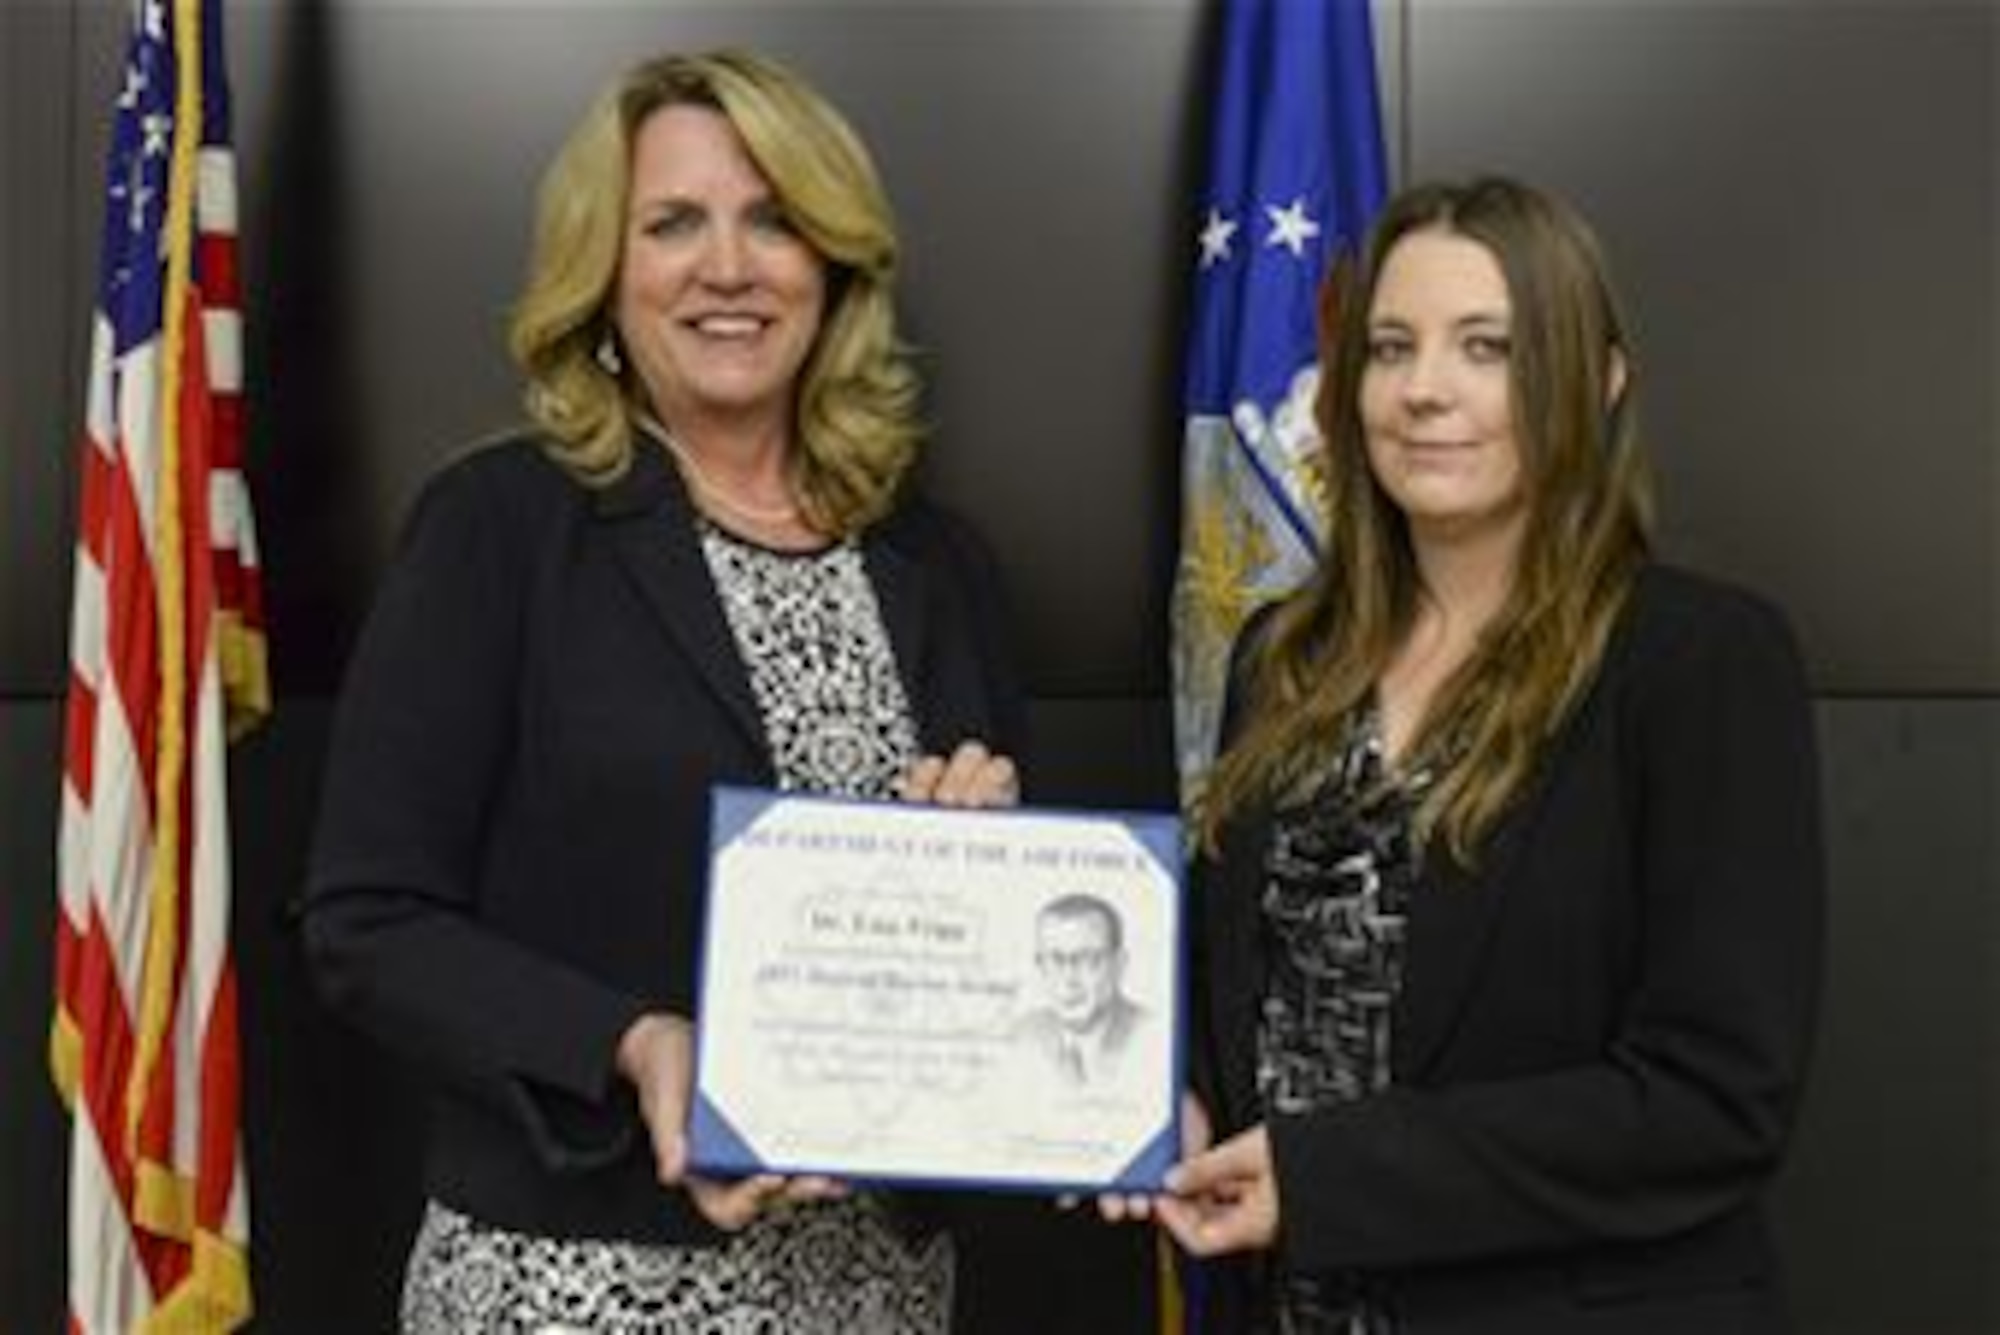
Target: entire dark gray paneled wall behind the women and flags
[1801, 201]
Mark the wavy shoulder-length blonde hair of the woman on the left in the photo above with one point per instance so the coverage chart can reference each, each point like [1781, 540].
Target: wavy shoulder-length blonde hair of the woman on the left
[857, 409]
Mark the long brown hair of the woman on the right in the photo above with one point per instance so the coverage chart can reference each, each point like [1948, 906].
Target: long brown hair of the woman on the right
[1573, 381]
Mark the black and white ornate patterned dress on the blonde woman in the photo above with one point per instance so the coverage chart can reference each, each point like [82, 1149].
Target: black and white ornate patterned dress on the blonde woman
[839, 722]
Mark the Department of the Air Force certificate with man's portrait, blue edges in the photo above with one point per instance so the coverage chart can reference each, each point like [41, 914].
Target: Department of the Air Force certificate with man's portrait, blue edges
[939, 996]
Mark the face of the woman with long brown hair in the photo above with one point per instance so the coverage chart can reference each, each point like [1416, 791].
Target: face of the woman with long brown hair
[1437, 397]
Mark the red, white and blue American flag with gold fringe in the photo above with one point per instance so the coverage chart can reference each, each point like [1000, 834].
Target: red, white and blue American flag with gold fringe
[167, 659]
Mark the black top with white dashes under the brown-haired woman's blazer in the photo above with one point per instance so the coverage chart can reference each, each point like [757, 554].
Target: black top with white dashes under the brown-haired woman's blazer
[1337, 888]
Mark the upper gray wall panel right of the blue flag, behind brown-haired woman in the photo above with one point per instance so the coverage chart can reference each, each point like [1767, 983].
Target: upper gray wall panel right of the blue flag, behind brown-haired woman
[1799, 199]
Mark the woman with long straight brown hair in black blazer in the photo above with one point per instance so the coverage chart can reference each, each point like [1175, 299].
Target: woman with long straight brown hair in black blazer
[1513, 898]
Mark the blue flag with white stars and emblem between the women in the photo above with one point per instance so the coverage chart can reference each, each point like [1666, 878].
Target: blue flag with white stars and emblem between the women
[1295, 177]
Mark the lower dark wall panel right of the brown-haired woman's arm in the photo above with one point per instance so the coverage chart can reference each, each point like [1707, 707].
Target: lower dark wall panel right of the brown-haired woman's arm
[1891, 1210]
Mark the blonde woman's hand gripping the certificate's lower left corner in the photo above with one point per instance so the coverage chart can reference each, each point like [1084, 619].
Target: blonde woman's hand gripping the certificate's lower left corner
[657, 1054]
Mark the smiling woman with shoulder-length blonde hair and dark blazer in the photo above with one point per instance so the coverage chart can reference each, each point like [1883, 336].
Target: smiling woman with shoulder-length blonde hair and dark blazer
[701, 567]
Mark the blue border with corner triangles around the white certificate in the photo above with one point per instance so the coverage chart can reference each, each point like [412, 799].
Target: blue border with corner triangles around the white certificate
[717, 1148]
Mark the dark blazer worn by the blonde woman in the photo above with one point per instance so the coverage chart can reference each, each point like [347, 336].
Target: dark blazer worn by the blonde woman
[515, 810]
